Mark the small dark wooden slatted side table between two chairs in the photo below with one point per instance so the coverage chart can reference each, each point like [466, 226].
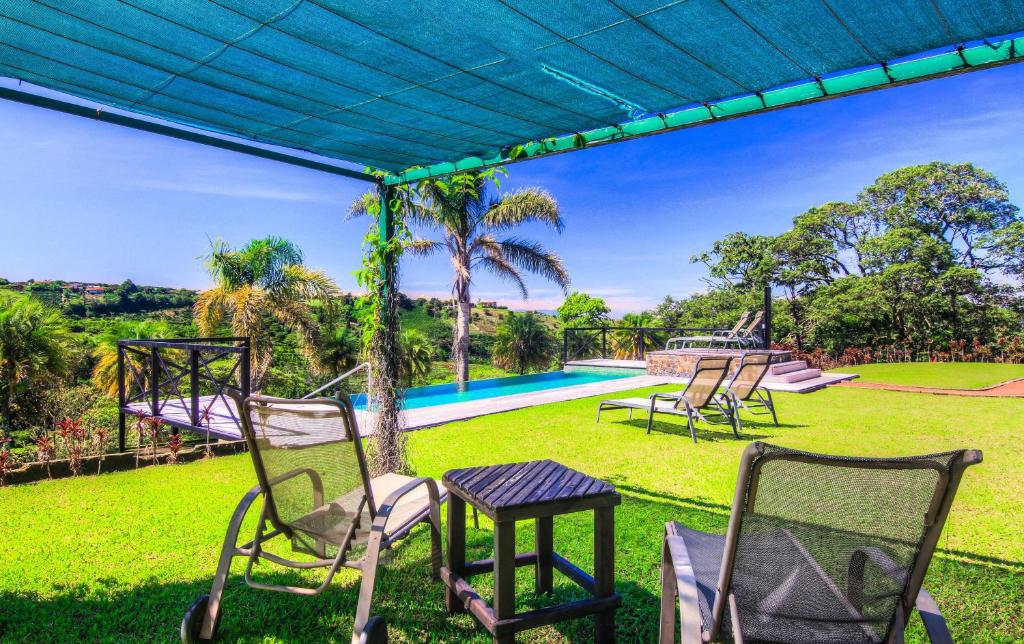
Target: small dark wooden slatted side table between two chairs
[538, 490]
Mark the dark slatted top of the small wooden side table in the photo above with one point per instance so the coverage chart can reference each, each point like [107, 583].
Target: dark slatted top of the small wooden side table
[510, 491]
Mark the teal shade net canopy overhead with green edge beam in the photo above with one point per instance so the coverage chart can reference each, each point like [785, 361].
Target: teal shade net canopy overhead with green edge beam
[430, 87]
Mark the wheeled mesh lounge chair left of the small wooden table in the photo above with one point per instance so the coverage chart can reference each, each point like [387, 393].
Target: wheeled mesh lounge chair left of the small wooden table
[318, 494]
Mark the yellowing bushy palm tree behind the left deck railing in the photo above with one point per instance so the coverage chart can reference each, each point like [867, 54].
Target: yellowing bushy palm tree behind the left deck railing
[258, 284]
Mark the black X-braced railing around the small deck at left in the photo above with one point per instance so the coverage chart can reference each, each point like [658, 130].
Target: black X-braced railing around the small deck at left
[184, 371]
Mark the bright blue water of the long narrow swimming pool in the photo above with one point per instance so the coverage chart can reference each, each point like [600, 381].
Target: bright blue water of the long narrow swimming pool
[417, 398]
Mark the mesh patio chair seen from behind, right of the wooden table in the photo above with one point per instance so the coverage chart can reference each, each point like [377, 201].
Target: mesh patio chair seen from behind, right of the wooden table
[819, 549]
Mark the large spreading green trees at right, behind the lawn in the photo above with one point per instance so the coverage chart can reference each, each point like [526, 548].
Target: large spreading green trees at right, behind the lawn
[924, 256]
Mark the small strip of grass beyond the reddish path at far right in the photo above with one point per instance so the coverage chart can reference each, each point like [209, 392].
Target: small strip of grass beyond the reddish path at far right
[944, 375]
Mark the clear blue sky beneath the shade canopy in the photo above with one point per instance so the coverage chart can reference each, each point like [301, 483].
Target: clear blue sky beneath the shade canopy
[88, 201]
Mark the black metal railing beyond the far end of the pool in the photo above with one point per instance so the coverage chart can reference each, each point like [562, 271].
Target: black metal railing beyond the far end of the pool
[629, 344]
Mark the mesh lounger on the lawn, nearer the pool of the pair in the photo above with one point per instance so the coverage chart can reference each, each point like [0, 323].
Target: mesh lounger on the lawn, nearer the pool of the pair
[699, 402]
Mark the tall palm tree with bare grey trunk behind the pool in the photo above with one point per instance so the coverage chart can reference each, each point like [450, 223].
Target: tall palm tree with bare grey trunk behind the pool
[473, 225]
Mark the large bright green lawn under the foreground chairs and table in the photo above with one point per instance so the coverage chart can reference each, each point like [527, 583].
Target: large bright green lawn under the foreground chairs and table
[121, 556]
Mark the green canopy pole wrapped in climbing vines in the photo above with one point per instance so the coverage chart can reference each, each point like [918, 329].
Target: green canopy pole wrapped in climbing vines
[389, 454]
